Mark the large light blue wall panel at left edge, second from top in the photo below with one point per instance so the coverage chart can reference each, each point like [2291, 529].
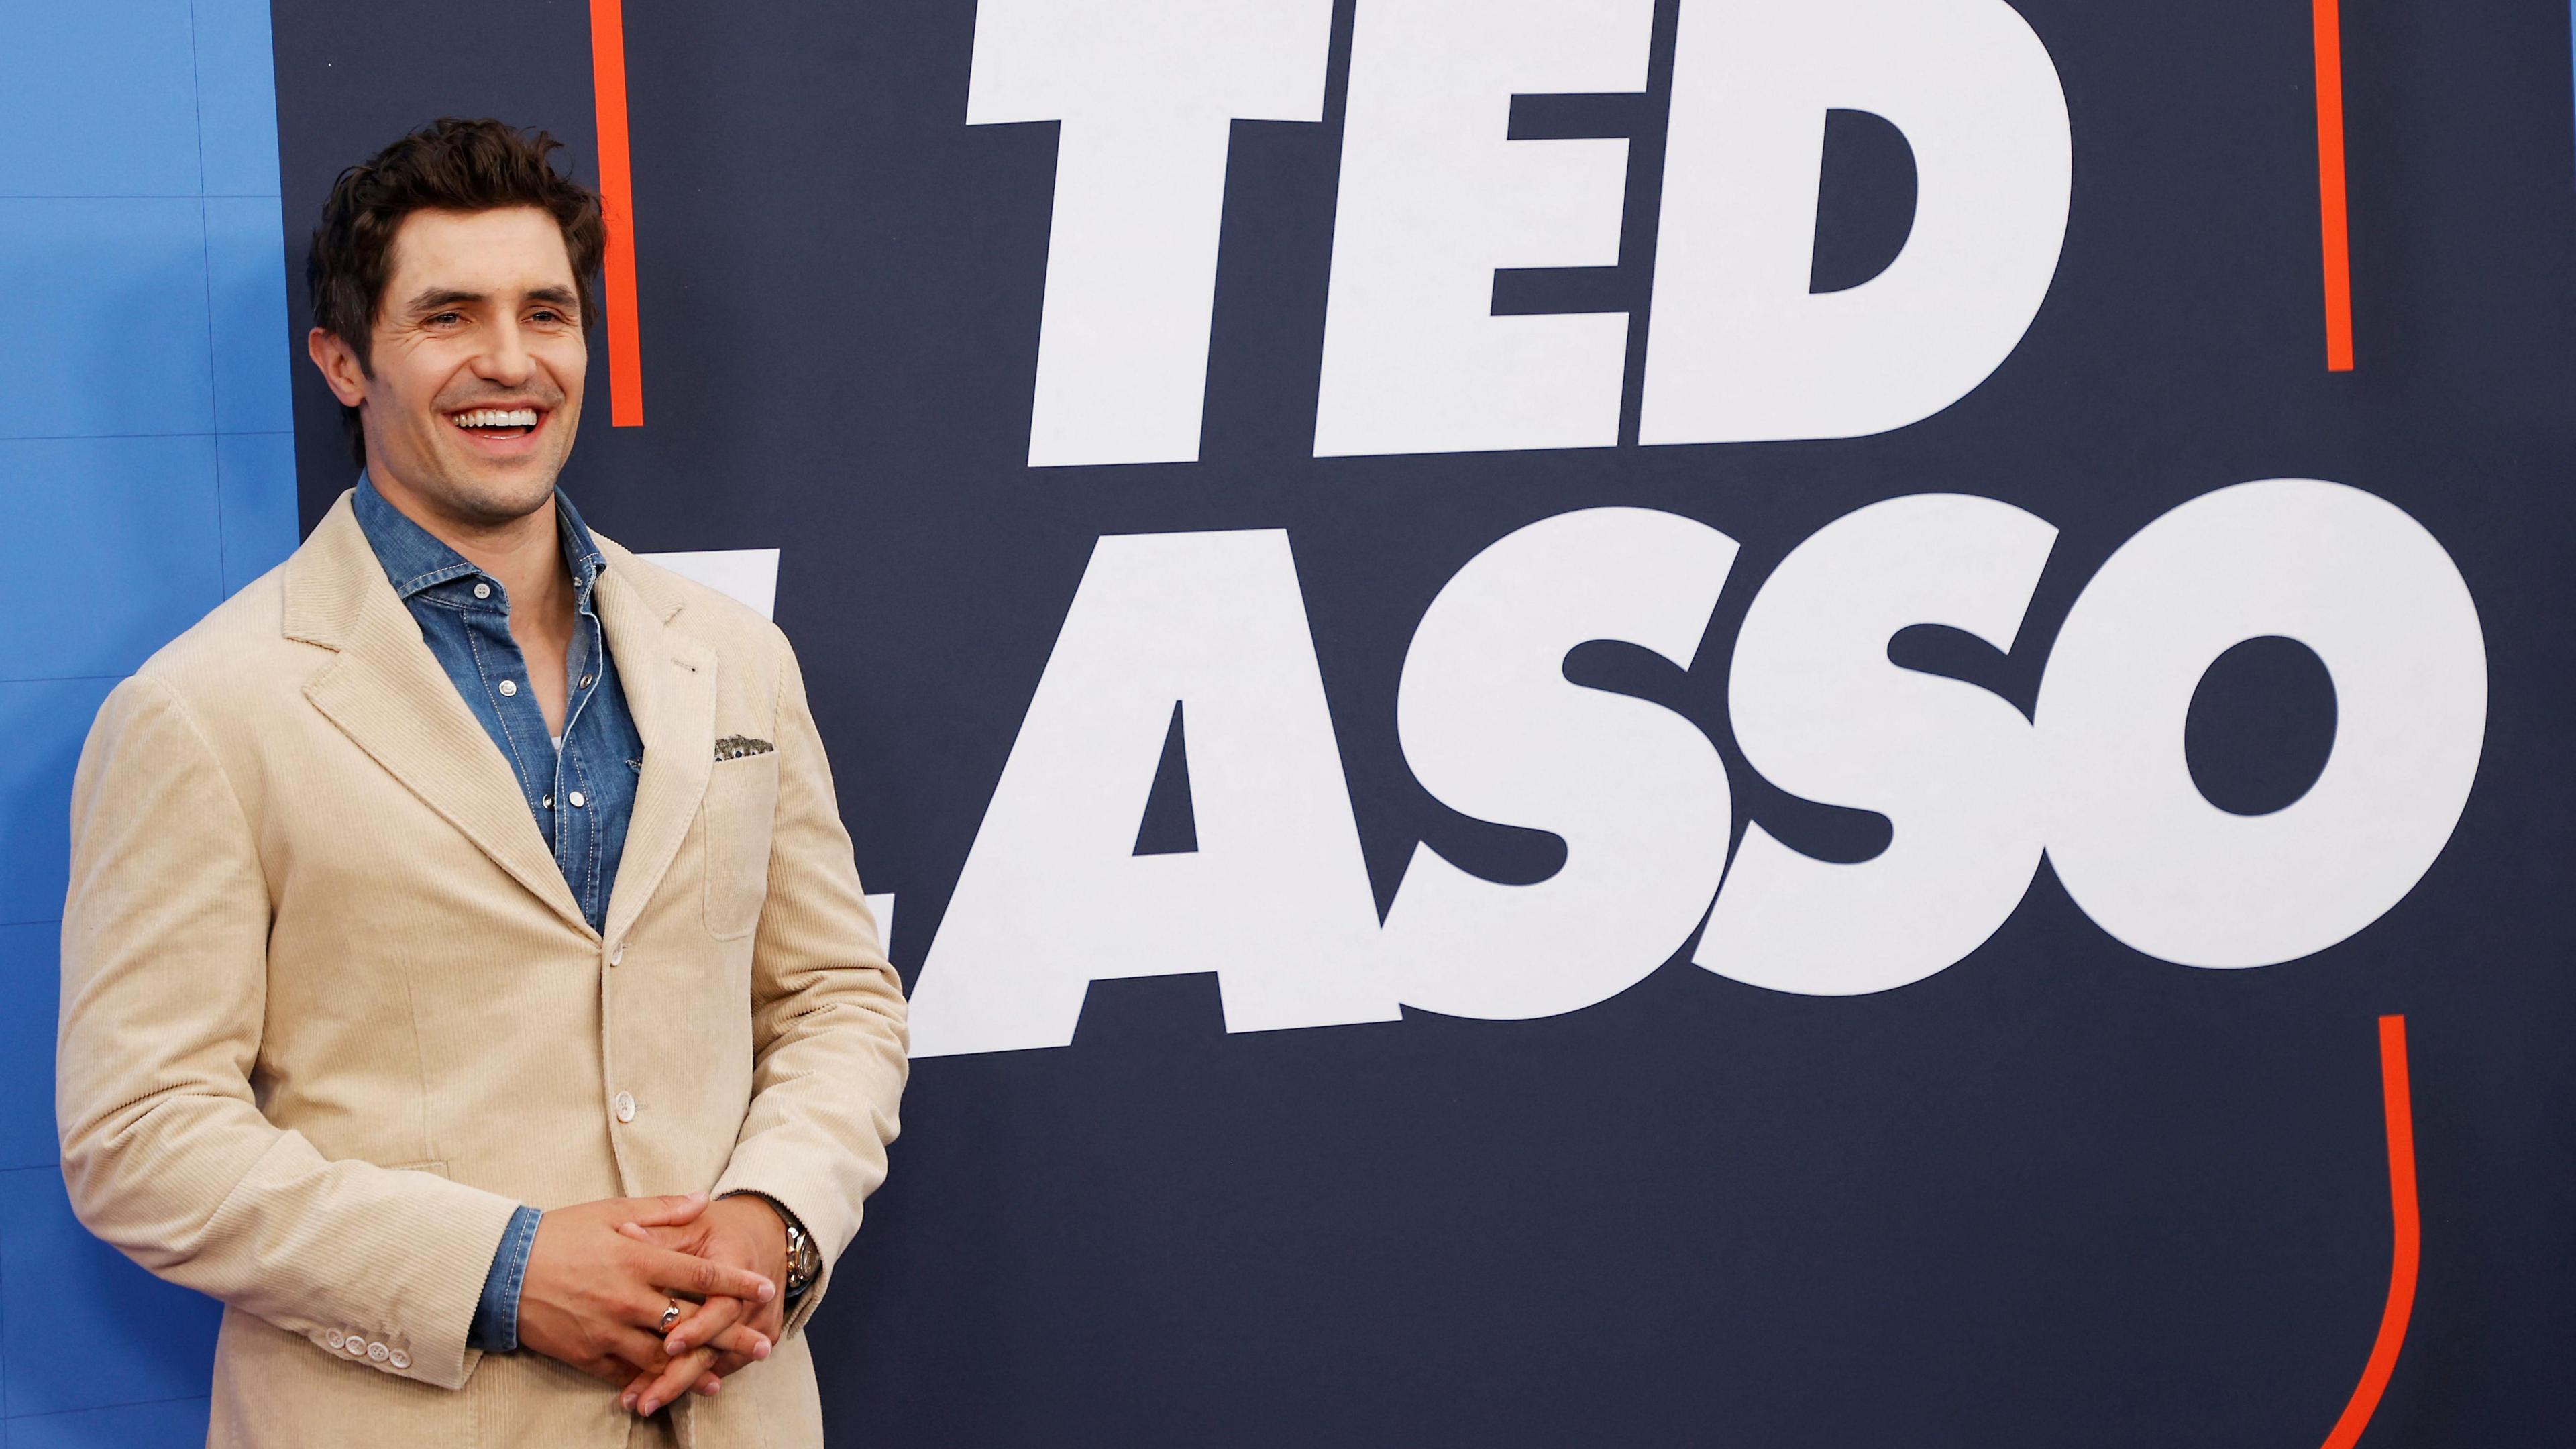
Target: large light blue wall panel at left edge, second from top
[107, 321]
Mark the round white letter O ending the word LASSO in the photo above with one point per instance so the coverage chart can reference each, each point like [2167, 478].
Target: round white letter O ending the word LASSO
[2382, 605]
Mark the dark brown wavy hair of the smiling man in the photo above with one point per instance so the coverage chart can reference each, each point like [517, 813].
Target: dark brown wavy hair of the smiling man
[447, 166]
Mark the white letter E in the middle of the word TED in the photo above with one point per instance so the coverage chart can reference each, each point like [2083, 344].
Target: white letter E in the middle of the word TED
[1436, 200]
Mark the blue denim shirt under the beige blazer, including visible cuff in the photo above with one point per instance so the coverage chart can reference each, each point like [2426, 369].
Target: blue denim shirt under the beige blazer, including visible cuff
[581, 793]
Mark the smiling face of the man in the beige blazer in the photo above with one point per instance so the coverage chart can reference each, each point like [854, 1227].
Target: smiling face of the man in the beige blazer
[478, 365]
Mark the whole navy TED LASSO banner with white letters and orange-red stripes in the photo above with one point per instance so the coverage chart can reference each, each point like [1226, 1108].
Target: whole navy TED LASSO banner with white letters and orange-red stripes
[1634, 721]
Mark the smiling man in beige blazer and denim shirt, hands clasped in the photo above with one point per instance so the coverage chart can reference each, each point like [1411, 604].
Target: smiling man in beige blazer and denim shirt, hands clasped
[465, 973]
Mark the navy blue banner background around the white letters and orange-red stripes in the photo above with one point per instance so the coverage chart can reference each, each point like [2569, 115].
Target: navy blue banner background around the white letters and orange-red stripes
[2057, 1195]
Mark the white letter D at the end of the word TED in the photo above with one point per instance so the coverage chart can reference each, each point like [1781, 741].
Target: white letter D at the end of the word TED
[1740, 352]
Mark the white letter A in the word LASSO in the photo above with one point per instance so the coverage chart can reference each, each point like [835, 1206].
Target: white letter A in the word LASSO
[1276, 896]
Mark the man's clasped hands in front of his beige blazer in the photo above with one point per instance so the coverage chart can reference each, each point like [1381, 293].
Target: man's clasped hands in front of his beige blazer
[604, 1278]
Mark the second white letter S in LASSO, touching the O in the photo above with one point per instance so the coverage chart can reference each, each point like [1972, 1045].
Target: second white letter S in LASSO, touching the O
[1823, 713]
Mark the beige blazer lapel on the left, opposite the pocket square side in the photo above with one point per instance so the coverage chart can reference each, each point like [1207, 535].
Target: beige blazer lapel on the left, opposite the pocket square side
[388, 692]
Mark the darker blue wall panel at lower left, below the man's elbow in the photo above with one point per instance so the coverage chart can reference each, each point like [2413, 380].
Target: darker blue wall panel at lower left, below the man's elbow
[81, 1324]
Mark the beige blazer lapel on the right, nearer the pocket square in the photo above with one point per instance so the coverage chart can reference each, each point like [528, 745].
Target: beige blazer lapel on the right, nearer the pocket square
[671, 690]
